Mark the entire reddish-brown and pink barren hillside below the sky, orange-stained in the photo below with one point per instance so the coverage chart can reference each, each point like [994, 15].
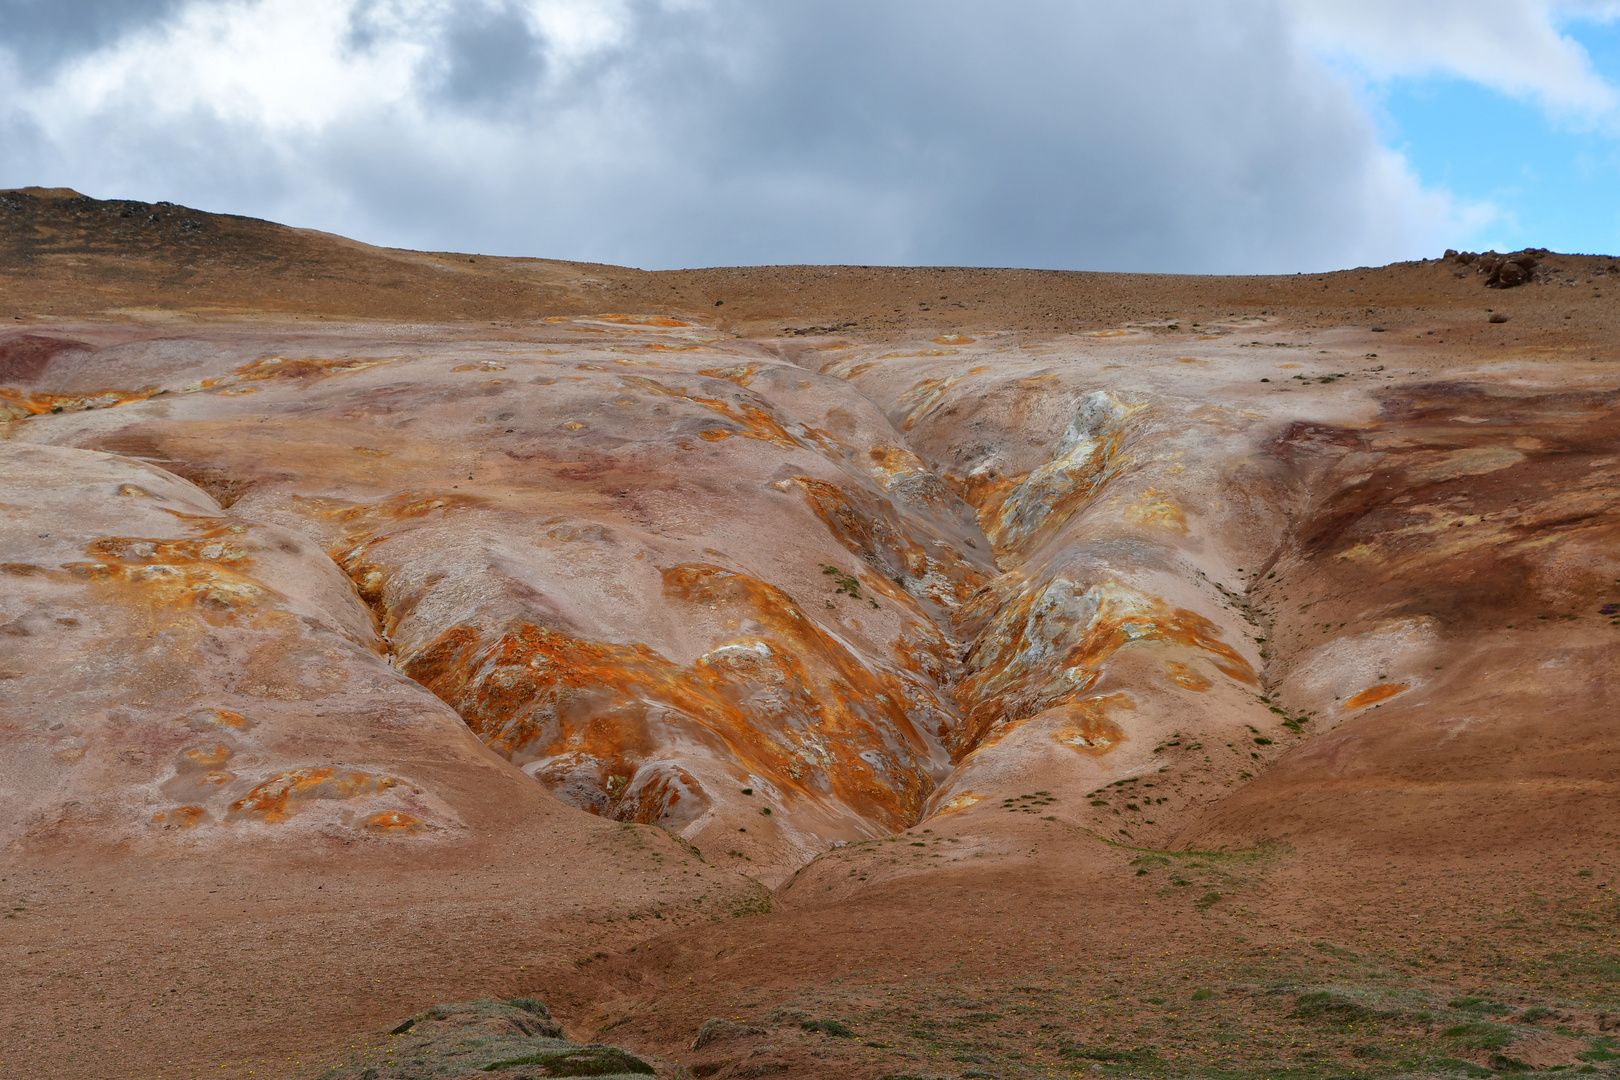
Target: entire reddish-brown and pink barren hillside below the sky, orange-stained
[437, 666]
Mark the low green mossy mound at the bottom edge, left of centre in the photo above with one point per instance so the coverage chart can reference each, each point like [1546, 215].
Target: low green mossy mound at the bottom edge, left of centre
[501, 1040]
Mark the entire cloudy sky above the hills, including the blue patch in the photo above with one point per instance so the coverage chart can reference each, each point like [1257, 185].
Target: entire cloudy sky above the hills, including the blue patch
[1119, 135]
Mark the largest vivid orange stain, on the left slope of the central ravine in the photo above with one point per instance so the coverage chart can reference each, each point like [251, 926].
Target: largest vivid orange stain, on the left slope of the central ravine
[783, 699]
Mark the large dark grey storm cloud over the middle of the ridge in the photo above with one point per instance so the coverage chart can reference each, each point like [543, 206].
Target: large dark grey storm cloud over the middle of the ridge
[1145, 137]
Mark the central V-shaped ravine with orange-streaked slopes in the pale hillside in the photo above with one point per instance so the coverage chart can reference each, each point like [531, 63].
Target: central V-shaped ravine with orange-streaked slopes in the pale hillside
[775, 610]
